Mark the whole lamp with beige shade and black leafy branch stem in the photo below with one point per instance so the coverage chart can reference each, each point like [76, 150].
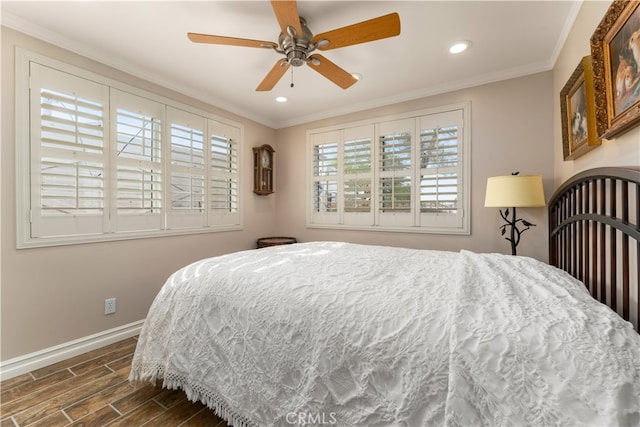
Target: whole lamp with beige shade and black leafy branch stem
[511, 192]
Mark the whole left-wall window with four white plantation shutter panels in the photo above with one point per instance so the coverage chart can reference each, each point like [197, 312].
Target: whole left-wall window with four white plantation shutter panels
[106, 161]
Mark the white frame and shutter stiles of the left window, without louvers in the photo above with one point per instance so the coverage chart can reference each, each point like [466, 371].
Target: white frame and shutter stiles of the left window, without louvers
[214, 221]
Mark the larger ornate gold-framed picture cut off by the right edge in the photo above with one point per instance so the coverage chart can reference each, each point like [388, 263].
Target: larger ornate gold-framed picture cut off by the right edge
[615, 53]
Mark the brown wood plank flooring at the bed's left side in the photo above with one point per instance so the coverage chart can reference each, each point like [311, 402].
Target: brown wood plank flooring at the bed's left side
[92, 390]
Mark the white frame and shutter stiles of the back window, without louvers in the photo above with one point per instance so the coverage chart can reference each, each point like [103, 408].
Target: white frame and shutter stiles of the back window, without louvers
[336, 220]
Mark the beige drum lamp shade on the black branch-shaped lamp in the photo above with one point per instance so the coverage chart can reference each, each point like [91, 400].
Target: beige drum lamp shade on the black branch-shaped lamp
[516, 191]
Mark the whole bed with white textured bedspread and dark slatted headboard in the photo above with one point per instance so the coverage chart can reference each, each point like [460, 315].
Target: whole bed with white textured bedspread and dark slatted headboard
[334, 333]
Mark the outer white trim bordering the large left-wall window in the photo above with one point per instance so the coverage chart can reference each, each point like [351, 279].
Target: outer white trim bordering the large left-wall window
[23, 58]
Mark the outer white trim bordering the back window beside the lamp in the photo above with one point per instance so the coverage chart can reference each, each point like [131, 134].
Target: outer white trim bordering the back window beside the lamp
[464, 229]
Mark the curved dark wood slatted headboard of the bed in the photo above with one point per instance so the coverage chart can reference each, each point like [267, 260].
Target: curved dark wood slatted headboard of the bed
[594, 235]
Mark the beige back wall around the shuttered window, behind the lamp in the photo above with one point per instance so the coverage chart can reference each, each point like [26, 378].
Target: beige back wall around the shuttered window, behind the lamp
[511, 125]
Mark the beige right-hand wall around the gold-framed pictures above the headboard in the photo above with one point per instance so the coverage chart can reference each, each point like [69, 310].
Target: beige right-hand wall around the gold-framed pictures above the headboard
[621, 151]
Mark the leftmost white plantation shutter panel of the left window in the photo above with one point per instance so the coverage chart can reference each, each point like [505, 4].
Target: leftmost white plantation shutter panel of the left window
[67, 153]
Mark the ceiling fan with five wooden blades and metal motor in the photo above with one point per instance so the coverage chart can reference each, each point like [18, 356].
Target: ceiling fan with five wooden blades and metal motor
[296, 43]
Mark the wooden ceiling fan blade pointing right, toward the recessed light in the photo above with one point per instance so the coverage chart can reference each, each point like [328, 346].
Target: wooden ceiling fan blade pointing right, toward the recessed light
[363, 32]
